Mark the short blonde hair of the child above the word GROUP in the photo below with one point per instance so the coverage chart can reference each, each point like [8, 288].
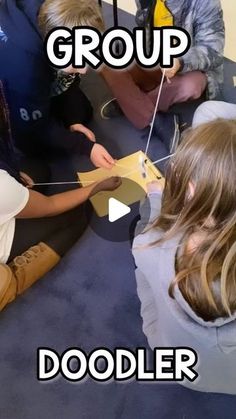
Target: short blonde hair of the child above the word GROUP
[69, 13]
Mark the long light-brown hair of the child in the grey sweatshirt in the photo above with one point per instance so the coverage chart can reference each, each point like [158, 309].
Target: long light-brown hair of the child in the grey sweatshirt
[206, 275]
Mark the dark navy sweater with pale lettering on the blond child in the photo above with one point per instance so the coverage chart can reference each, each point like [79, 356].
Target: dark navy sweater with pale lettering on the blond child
[28, 76]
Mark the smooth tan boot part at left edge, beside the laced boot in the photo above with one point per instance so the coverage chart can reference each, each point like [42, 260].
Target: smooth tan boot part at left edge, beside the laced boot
[7, 286]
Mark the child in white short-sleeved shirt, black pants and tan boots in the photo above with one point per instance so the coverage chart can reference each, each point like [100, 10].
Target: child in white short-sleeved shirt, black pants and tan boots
[35, 230]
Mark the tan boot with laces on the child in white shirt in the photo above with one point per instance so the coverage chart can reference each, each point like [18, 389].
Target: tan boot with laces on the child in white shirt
[32, 265]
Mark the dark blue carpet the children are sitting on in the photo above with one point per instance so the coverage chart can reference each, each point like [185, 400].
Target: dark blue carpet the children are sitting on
[90, 301]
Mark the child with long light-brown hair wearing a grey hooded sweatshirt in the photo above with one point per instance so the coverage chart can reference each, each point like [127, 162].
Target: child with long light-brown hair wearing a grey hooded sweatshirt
[186, 256]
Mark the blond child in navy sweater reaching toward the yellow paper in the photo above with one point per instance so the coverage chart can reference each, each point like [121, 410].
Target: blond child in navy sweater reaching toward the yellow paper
[49, 111]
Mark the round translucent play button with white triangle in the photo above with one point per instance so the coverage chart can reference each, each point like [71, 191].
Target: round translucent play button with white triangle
[116, 213]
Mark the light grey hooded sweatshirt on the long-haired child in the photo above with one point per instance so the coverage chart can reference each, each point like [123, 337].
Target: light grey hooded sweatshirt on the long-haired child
[171, 322]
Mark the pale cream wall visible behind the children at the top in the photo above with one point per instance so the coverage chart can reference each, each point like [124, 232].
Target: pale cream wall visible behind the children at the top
[229, 7]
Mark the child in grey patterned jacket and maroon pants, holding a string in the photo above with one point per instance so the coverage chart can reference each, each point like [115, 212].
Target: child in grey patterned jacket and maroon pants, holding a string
[199, 70]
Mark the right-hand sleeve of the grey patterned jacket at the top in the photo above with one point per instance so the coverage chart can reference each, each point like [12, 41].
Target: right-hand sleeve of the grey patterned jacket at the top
[207, 50]
